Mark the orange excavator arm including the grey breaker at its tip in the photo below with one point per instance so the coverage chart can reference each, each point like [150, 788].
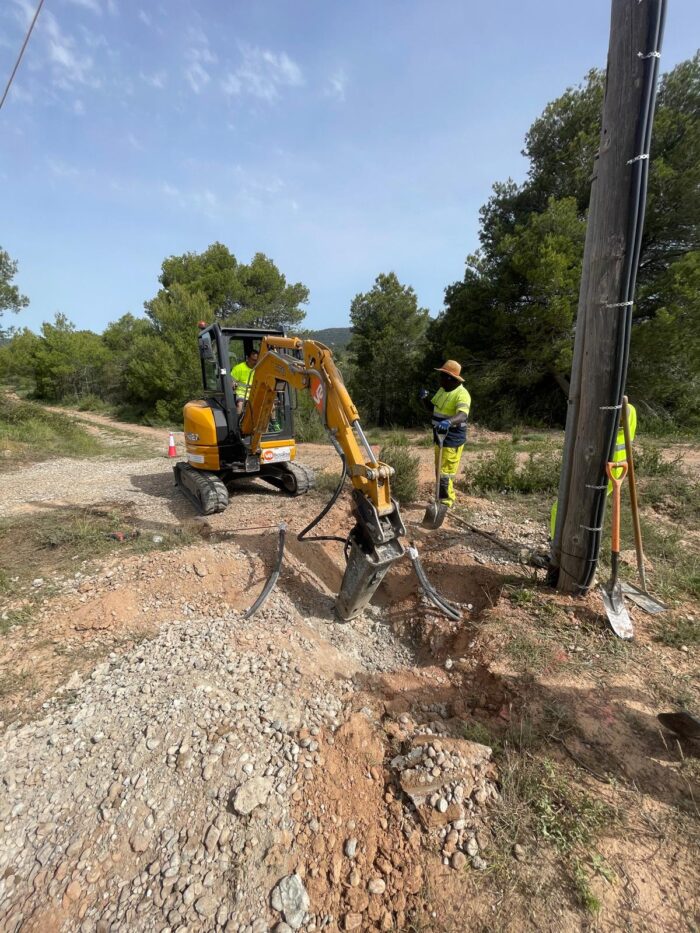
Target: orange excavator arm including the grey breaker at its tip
[374, 542]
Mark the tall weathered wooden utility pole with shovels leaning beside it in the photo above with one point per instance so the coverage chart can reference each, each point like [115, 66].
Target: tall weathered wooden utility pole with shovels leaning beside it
[604, 308]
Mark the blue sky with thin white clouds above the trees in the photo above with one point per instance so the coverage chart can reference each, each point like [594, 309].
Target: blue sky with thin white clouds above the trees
[342, 139]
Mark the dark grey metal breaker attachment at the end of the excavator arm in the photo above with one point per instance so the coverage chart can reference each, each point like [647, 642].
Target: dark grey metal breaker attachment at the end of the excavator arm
[374, 545]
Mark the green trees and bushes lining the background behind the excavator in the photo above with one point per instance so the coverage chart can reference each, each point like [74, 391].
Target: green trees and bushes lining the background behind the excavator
[509, 320]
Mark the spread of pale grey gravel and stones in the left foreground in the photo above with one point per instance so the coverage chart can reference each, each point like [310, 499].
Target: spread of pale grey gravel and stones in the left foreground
[148, 796]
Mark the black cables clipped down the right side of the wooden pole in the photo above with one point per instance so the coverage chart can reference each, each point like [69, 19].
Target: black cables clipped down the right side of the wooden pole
[640, 176]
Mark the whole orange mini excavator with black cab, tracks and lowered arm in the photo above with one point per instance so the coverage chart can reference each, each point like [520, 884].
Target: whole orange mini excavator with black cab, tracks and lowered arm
[223, 446]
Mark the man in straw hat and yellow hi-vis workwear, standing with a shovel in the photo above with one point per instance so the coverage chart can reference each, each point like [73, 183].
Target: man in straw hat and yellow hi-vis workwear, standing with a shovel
[450, 410]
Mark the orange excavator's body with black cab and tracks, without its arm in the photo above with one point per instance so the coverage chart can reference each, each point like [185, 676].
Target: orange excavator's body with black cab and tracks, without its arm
[217, 453]
